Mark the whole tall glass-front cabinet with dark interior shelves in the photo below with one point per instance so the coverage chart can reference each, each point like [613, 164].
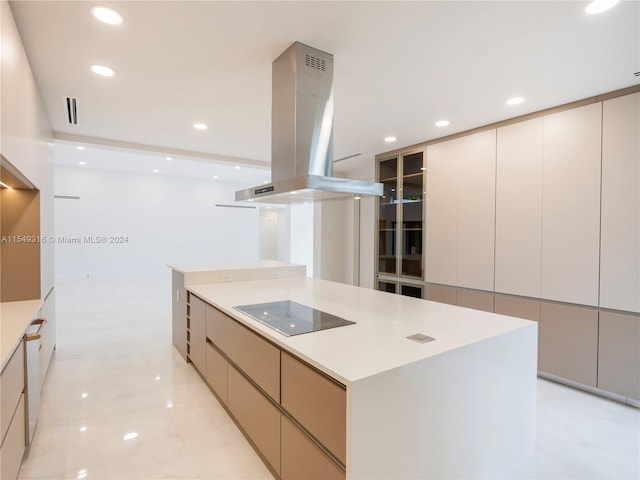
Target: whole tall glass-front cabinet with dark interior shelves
[400, 217]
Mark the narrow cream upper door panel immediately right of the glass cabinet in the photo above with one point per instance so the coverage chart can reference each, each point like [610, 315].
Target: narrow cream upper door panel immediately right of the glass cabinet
[442, 213]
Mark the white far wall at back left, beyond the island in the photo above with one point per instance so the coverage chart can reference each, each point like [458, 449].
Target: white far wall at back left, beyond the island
[164, 219]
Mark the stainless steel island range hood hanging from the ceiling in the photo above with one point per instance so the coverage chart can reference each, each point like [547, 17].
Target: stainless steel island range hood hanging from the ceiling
[302, 134]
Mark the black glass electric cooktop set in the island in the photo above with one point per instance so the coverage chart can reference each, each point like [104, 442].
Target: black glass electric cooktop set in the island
[291, 318]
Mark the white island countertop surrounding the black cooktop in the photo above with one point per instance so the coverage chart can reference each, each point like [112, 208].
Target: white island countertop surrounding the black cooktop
[377, 343]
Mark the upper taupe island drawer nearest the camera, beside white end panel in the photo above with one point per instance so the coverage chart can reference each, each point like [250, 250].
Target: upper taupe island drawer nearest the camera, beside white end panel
[317, 402]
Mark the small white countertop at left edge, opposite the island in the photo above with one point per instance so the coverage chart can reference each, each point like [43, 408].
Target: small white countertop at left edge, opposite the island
[15, 317]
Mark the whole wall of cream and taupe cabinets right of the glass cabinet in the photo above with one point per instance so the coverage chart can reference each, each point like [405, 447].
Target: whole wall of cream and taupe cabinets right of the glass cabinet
[539, 218]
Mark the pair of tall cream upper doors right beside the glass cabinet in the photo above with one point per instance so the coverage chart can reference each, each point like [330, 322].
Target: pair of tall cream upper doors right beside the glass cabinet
[460, 219]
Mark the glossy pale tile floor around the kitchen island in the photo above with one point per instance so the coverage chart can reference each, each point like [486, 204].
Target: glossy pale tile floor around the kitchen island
[115, 373]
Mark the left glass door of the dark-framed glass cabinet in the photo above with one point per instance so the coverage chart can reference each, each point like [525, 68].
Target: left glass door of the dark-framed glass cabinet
[387, 217]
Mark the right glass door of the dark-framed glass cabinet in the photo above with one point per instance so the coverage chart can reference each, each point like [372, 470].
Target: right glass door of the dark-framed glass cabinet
[412, 214]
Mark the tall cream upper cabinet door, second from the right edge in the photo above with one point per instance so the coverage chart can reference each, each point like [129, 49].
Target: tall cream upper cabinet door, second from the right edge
[571, 205]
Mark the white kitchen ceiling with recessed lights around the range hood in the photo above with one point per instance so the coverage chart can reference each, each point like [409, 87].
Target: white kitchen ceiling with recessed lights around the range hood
[399, 66]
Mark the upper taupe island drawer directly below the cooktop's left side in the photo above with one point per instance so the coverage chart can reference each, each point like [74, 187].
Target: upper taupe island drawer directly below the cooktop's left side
[259, 359]
